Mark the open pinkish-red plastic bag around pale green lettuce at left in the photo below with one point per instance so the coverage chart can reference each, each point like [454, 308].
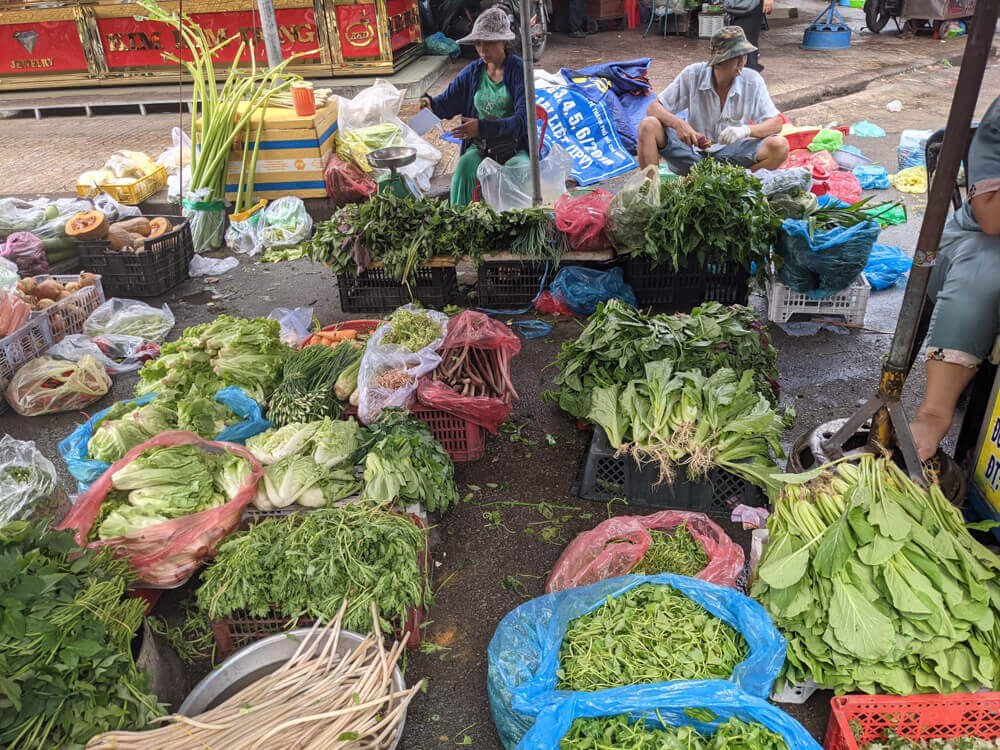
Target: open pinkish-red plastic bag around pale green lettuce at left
[165, 554]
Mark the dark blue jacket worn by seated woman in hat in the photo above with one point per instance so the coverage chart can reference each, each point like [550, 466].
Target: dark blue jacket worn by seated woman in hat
[459, 99]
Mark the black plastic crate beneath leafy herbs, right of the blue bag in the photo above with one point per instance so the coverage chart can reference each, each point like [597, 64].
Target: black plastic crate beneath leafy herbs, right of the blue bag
[686, 288]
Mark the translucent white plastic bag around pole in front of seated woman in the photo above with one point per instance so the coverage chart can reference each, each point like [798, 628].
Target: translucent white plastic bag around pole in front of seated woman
[509, 186]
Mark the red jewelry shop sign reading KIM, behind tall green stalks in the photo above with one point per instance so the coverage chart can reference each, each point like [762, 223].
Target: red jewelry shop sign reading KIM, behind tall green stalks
[139, 43]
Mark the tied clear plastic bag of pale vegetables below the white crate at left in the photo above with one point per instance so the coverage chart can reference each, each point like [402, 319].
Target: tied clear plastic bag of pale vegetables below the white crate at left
[49, 386]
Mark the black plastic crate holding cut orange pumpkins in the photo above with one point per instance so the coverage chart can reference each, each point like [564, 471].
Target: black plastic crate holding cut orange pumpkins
[162, 266]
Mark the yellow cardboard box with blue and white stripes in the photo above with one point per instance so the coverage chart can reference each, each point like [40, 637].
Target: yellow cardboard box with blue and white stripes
[291, 156]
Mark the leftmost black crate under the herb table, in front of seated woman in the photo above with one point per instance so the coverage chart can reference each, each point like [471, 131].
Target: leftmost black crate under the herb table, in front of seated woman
[374, 290]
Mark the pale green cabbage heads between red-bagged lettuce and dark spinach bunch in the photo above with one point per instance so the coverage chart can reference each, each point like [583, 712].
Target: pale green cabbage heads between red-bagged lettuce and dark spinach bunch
[311, 463]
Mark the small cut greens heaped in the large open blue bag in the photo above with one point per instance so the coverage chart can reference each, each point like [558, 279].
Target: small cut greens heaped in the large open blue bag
[651, 633]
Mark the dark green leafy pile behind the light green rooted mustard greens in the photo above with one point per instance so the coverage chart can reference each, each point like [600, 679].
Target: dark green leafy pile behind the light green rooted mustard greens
[619, 340]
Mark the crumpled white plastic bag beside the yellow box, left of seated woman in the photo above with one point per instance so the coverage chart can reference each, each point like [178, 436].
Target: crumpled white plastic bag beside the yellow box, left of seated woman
[380, 103]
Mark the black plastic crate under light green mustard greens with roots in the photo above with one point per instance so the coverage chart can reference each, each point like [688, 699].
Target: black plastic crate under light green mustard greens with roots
[603, 477]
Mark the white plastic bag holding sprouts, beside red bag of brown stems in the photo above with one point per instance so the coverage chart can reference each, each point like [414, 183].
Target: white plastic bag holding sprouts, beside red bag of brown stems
[380, 357]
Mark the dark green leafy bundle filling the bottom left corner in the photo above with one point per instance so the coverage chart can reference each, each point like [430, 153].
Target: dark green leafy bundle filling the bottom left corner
[66, 668]
